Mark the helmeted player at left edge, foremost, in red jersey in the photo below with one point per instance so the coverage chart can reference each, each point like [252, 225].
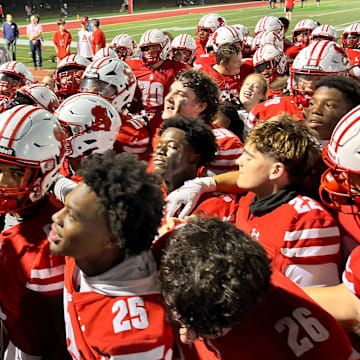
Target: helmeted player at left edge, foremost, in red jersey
[32, 148]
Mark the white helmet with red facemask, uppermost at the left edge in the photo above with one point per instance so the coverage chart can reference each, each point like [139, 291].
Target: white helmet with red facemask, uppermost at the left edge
[13, 75]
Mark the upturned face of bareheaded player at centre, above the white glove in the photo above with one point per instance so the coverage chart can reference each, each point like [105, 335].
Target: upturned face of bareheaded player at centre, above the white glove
[174, 158]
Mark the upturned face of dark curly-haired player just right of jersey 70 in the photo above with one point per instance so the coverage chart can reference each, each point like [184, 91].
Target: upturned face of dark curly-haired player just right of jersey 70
[182, 100]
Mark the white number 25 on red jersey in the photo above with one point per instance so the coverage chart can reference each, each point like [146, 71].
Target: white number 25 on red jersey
[134, 307]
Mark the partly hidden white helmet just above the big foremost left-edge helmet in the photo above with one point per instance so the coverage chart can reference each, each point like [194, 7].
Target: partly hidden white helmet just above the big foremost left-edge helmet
[38, 96]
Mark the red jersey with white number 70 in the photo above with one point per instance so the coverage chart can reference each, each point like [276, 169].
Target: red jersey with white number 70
[154, 84]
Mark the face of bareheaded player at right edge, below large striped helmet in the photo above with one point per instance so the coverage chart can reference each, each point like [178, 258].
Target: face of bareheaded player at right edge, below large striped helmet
[326, 108]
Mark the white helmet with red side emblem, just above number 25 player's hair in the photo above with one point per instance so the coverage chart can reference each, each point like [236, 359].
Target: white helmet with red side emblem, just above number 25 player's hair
[91, 122]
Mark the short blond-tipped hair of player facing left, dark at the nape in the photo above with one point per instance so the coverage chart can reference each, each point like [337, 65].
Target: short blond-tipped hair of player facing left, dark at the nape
[289, 141]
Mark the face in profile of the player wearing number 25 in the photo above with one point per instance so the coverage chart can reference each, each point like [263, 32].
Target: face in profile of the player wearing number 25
[79, 229]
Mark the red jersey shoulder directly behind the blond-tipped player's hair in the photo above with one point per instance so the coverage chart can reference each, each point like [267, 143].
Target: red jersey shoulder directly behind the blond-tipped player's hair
[273, 107]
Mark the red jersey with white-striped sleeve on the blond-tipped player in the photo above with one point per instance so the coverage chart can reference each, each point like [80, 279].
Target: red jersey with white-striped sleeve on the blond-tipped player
[301, 237]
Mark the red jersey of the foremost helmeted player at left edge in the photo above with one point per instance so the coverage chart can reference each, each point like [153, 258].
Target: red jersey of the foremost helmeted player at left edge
[30, 276]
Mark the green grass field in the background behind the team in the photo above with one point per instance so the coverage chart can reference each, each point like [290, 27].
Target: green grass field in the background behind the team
[337, 13]
